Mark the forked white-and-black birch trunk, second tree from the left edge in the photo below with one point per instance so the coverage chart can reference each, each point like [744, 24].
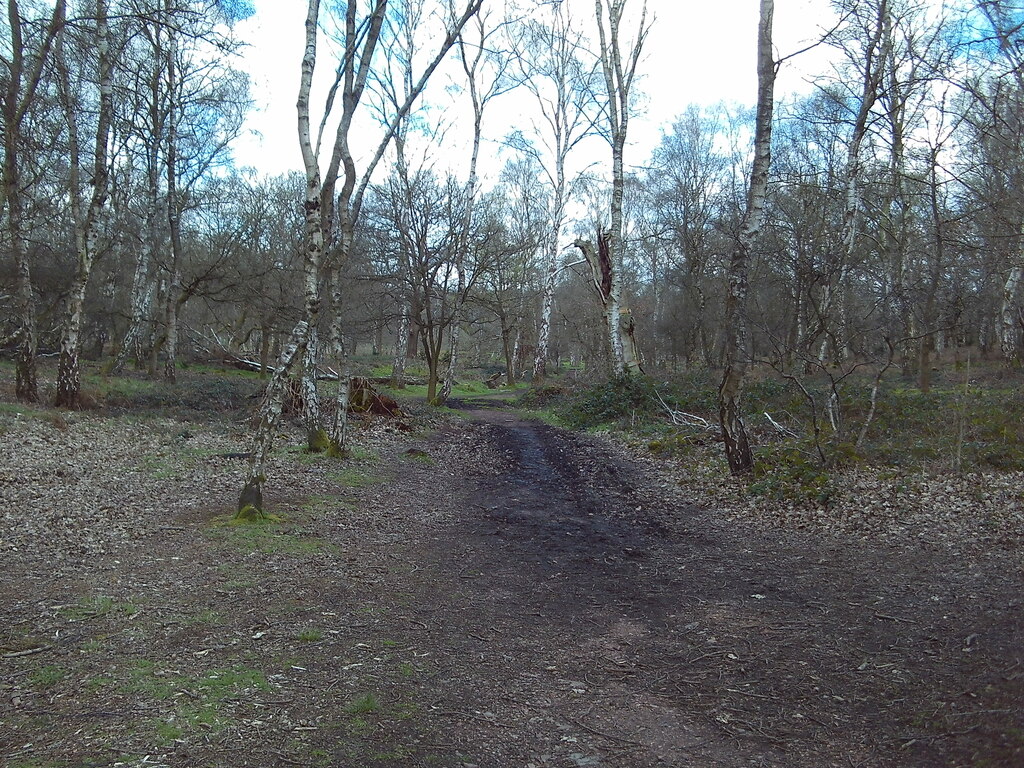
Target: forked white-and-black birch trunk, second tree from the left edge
[88, 221]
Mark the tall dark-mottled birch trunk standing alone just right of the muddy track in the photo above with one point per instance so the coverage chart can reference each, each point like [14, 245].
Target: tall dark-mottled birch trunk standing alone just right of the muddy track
[738, 448]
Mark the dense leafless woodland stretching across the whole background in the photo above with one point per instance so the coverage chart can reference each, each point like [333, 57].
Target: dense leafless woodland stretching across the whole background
[890, 230]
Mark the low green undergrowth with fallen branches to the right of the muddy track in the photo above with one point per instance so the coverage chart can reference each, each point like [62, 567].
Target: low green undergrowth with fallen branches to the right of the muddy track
[803, 432]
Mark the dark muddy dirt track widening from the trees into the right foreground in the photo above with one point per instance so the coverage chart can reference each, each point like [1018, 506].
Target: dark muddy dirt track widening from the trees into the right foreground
[614, 624]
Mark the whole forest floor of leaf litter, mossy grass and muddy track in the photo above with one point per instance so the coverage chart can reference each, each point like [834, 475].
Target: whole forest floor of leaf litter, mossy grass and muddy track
[484, 590]
